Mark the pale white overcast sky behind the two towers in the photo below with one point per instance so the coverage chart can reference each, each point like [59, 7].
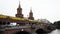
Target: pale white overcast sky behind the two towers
[42, 9]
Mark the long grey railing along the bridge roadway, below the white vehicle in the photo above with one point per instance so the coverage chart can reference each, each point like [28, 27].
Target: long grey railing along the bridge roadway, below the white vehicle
[22, 26]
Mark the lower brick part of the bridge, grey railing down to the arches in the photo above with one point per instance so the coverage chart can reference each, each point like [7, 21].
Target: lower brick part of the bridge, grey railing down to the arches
[28, 28]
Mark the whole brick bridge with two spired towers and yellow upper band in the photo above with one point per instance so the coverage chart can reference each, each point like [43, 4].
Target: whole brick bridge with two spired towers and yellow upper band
[22, 24]
